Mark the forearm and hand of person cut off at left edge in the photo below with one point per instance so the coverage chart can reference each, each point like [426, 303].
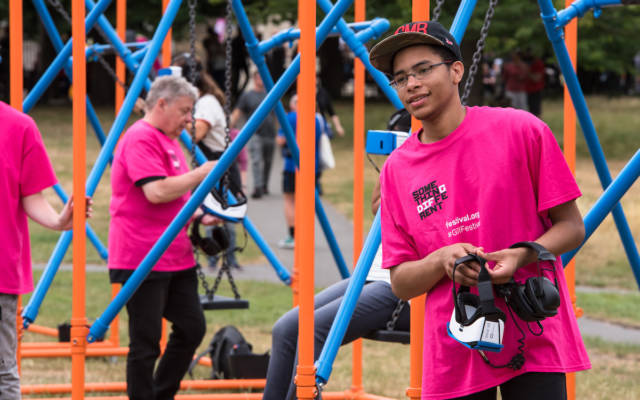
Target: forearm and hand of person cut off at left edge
[38, 209]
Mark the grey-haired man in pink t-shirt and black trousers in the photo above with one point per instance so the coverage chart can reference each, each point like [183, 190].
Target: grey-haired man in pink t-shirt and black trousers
[150, 183]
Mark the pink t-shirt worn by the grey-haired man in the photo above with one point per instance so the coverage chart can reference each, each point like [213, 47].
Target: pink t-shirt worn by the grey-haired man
[136, 224]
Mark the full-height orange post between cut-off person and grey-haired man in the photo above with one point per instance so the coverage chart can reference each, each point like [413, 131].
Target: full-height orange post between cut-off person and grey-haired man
[79, 329]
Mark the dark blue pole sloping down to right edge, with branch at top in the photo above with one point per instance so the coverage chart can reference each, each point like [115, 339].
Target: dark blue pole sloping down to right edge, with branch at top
[556, 37]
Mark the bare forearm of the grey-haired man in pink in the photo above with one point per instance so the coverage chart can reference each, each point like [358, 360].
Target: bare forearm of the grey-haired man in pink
[172, 187]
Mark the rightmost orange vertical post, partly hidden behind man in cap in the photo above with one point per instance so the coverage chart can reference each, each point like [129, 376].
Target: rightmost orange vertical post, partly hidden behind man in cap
[571, 40]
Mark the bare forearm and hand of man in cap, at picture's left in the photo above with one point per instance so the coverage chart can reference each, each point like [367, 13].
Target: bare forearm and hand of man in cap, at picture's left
[413, 278]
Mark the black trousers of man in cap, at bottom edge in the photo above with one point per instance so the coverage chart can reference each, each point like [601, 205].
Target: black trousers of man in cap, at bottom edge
[529, 386]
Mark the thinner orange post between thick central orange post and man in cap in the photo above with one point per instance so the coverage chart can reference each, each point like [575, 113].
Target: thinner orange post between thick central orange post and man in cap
[358, 184]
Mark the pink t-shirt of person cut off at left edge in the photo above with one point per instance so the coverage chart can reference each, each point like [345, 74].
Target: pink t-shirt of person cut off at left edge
[25, 169]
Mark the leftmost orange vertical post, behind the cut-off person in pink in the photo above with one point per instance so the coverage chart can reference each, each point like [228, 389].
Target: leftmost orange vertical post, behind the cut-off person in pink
[15, 98]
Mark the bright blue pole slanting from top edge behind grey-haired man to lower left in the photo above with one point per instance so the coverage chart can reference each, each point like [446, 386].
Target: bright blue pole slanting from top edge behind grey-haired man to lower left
[106, 152]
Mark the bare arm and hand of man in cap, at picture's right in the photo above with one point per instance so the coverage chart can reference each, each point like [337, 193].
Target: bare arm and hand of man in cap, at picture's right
[566, 233]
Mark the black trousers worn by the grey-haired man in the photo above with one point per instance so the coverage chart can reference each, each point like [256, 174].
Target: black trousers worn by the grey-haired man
[174, 296]
